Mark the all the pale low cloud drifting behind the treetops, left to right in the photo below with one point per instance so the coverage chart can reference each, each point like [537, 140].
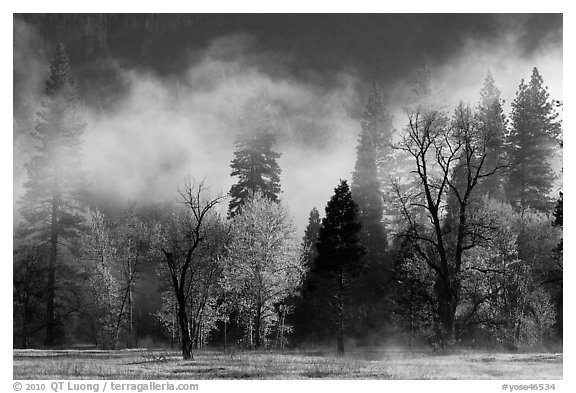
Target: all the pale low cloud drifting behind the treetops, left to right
[163, 128]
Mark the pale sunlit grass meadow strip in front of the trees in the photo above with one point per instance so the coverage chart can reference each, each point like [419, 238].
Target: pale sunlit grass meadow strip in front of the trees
[211, 364]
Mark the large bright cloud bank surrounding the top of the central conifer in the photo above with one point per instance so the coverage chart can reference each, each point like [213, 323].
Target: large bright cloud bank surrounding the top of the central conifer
[166, 128]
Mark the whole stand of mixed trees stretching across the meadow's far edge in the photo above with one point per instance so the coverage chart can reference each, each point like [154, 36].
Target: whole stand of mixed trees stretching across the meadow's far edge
[447, 233]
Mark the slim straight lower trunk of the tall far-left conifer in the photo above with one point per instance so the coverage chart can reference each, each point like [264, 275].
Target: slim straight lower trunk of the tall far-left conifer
[51, 289]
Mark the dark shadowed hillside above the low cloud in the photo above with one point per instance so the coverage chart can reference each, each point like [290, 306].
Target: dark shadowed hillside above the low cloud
[318, 45]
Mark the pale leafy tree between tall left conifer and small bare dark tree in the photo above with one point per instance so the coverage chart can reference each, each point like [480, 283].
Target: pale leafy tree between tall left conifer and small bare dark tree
[111, 256]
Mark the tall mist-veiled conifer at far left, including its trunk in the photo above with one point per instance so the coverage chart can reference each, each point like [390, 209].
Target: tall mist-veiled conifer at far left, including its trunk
[50, 208]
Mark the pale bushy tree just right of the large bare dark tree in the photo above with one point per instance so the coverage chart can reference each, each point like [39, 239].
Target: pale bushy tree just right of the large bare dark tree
[504, 291]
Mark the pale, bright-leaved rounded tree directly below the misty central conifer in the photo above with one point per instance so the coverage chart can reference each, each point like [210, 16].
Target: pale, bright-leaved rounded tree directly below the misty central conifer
[263, 266]
